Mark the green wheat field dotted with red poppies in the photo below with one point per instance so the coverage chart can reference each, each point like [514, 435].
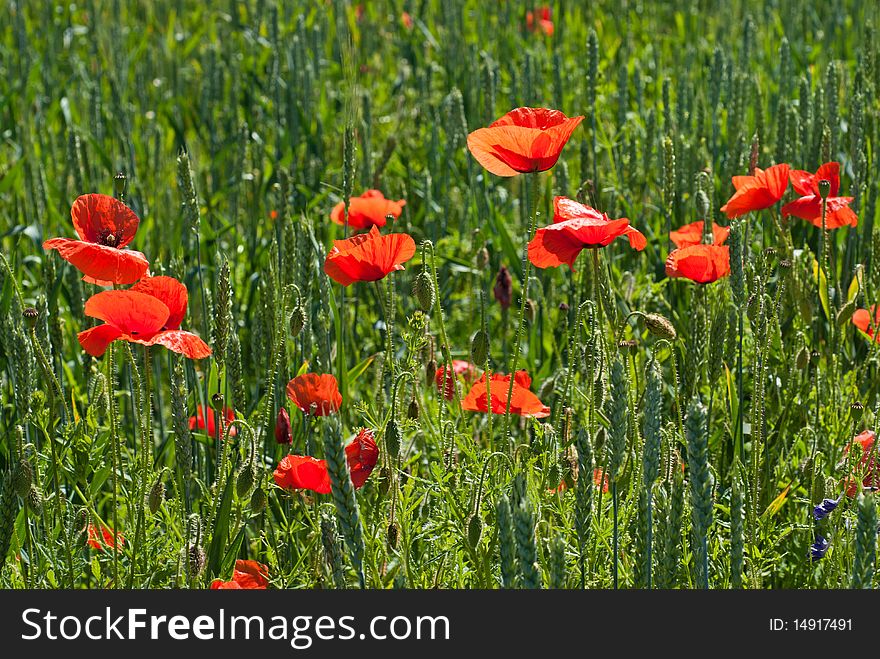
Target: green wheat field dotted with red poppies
[670, 433]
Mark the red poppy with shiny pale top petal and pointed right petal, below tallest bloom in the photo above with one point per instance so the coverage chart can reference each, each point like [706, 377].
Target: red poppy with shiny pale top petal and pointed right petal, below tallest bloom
[575, 227]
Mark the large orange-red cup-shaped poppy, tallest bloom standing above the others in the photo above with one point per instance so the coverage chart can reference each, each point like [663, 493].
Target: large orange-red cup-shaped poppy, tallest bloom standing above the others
[523, 140]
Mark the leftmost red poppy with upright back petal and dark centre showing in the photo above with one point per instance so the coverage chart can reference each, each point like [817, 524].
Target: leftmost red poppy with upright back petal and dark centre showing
[105, 226]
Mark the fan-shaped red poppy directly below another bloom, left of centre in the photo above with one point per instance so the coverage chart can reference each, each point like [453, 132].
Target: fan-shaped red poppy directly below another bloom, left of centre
[368, 256]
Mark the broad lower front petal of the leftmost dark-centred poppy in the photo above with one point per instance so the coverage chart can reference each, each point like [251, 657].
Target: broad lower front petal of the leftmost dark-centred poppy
[100, 263]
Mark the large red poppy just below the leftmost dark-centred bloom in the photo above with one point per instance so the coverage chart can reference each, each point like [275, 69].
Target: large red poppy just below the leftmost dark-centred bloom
[149, 313]
